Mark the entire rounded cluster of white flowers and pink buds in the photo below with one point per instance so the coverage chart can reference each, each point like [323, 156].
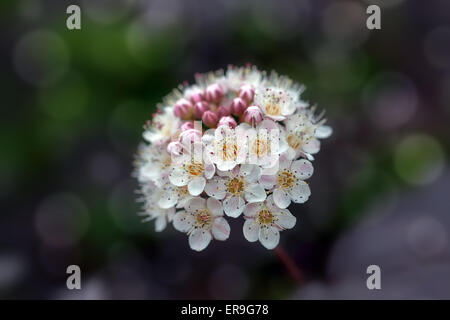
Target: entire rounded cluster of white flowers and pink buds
[236, 143]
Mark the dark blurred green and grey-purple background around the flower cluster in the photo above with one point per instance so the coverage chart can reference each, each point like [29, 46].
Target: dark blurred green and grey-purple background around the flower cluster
[73, 108]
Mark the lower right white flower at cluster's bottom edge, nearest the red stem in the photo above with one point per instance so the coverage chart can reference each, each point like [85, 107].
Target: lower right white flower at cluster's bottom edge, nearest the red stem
[264, 221]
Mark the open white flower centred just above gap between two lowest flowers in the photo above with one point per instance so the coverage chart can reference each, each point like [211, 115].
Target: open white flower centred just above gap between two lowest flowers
[235, 187]
